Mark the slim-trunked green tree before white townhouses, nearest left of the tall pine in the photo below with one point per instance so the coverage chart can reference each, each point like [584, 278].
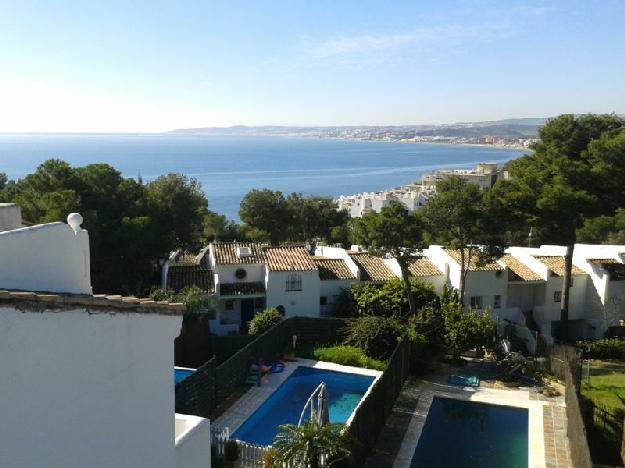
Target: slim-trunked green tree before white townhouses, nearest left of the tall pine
[454, 217]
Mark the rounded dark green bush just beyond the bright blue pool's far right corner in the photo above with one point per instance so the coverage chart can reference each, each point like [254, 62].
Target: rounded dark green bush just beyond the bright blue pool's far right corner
[376, 336]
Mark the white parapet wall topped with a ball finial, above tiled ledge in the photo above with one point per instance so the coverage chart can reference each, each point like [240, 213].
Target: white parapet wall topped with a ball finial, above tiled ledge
[50, 257]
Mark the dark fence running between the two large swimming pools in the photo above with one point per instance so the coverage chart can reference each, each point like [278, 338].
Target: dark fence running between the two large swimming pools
[371, 414]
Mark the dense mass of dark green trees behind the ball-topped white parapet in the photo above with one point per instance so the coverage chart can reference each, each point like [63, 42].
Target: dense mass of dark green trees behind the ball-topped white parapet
[131, 225]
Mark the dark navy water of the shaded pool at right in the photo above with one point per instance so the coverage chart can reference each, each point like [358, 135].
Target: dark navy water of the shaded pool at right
[469, 434]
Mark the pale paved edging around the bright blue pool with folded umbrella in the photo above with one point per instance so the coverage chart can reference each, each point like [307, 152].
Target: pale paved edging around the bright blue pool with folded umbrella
[245, 406]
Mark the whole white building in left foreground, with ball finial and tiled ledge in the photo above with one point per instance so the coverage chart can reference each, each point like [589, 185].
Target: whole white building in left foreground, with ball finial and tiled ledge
[87, 379]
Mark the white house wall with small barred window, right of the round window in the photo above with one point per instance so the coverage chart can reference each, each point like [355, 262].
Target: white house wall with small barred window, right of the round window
[304, 303]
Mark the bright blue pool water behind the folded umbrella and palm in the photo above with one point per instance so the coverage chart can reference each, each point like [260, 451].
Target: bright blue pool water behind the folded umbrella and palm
[285, 405]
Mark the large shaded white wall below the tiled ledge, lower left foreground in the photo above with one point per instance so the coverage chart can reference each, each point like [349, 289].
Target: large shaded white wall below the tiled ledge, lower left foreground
[84, 389]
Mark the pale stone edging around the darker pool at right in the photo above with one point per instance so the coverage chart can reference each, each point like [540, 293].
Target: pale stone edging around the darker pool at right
[512, 398]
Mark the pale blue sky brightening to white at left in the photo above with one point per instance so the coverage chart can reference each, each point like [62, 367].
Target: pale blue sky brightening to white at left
[150, 66]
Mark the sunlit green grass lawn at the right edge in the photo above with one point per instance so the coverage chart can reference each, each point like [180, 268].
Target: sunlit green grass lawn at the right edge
[607, 384]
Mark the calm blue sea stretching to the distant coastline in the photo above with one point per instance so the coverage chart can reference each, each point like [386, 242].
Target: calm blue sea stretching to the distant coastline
[228, 167]
